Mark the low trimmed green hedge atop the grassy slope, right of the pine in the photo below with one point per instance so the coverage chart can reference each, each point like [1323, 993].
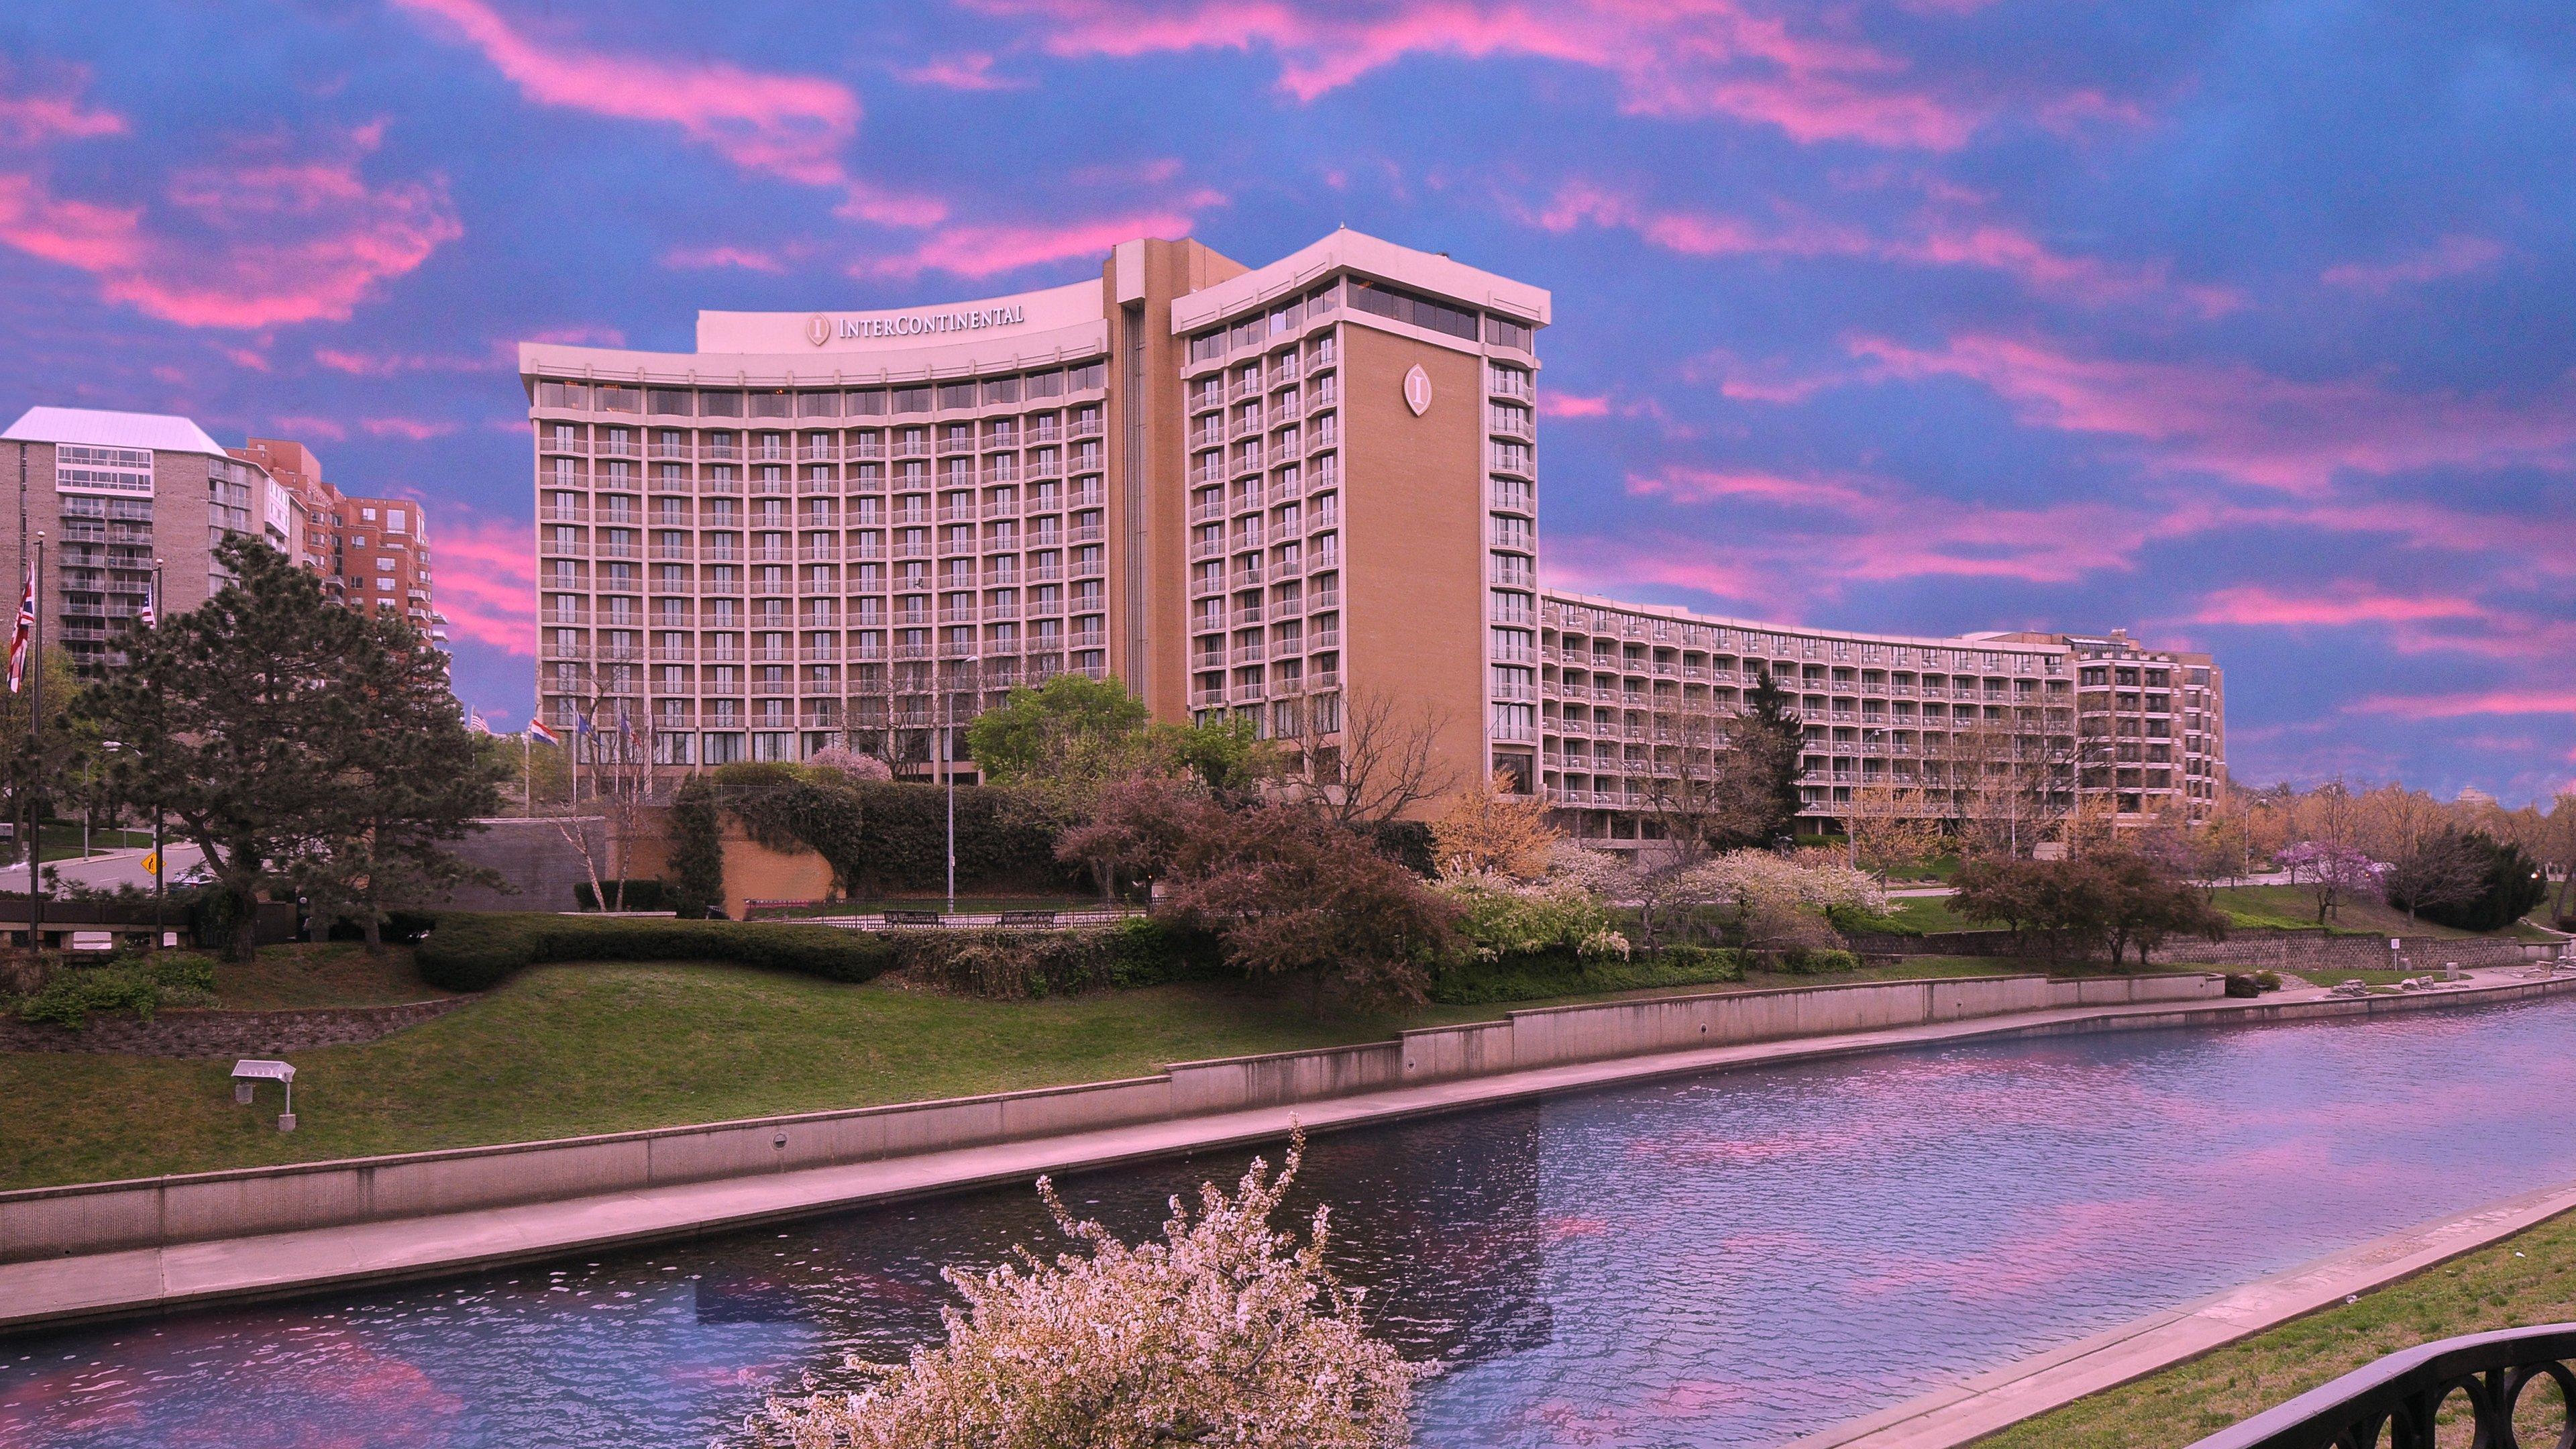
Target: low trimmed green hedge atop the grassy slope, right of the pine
[483, 950]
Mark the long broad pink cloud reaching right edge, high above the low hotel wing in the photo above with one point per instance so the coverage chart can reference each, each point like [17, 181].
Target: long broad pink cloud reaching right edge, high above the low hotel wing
[2248, 424]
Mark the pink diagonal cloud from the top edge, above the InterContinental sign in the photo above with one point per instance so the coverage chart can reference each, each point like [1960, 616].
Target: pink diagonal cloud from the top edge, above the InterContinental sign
[792, 128]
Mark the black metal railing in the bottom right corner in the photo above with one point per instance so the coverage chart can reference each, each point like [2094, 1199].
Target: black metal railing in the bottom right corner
[2397, 1399]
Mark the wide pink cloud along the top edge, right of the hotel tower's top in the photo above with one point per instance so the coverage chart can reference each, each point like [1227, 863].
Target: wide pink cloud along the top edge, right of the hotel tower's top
[1704, 58]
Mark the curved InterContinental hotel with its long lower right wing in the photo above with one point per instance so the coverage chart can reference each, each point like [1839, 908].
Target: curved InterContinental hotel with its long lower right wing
[1279, 494]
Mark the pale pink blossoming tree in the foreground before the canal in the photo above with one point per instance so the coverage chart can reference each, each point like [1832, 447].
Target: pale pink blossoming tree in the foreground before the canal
[1222, 1334]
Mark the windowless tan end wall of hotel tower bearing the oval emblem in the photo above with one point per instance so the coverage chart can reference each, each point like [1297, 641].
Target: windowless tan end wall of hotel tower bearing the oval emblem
[1413, 576]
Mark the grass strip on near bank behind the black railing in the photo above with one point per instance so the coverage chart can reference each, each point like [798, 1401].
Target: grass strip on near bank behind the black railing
[2508, 1285]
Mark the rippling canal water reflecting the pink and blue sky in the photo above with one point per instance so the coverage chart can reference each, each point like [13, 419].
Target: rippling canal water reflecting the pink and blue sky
[1730, 1259]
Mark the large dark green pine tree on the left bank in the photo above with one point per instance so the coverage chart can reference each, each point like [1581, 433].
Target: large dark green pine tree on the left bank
[292, 741]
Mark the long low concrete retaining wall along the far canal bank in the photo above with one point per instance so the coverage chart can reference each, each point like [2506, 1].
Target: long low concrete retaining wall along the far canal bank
[153, 1213]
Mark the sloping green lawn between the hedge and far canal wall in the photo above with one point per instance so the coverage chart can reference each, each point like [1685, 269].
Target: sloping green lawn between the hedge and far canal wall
[609, 1048]
